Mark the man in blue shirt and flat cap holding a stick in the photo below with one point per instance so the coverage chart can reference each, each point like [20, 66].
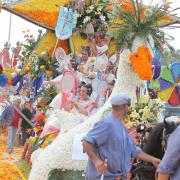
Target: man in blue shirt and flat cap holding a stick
[109, 147]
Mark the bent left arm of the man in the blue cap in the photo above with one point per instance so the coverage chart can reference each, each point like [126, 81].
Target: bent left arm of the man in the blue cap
[91, 151]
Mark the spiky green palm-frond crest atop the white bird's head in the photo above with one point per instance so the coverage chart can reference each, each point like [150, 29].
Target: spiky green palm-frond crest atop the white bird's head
[132, 24]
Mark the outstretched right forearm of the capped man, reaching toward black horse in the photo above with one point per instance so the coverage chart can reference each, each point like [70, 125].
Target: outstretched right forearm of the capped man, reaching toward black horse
[148, 158]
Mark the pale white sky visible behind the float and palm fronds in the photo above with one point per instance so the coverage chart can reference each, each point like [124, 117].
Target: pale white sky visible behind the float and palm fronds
[19, 25]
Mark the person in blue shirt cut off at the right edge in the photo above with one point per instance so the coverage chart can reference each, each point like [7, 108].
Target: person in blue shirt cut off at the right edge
[170, 164]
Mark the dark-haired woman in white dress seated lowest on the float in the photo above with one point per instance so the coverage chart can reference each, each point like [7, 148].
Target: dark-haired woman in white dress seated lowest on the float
[75, 110]
